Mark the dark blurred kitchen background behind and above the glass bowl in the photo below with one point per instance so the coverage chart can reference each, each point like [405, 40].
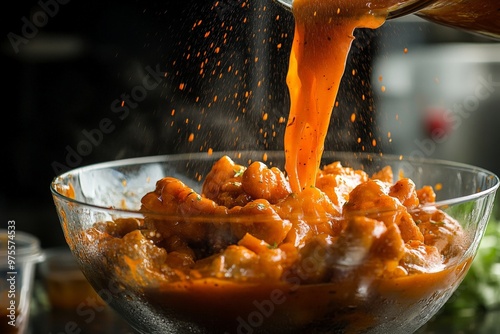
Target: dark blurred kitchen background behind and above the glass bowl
[87, 82]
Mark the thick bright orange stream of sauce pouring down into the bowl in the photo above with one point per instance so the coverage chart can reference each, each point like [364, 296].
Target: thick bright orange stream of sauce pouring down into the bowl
[323, 37]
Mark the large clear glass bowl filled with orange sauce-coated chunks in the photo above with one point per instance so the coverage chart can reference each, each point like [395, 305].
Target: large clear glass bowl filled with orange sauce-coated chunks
[199, 270]
